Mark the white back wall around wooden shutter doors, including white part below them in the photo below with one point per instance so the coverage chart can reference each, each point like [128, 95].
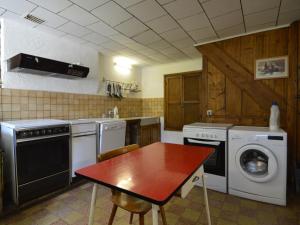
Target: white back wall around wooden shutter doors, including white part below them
[153, 87]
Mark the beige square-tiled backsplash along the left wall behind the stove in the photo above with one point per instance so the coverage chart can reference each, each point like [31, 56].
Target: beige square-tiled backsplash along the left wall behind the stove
[25, 104]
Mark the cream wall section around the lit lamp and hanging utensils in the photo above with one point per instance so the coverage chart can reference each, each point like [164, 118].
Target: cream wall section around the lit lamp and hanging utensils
[107, 70]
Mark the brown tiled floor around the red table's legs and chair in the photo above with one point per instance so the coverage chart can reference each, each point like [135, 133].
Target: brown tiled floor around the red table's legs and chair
[71, 208]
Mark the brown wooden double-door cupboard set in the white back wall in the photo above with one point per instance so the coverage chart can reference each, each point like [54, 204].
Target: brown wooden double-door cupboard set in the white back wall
[182, 99]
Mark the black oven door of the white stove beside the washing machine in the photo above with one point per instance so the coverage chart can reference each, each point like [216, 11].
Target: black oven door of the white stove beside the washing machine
[216, 163]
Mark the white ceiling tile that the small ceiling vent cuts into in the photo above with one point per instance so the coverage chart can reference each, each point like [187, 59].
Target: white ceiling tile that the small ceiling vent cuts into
[51, 19]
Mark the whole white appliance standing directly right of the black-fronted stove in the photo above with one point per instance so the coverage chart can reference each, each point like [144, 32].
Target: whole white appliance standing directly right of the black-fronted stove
[83, 144]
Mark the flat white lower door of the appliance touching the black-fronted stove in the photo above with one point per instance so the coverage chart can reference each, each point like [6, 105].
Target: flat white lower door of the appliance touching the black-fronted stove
[83, 151]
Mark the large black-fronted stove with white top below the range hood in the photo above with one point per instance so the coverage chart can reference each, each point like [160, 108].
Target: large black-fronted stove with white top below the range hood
[37, 158]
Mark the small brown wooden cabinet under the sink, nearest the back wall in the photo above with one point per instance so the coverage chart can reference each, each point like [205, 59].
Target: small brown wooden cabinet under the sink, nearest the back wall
[149, 134]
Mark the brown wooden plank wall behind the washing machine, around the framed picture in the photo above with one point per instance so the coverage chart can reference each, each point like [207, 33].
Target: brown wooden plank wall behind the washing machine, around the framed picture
[231, 103]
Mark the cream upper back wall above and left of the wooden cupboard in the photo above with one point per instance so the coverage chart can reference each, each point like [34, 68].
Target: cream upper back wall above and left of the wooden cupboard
[153, 76]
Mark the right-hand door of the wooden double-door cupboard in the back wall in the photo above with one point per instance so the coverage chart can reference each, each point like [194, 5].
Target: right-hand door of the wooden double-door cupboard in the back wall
[191, 97]
